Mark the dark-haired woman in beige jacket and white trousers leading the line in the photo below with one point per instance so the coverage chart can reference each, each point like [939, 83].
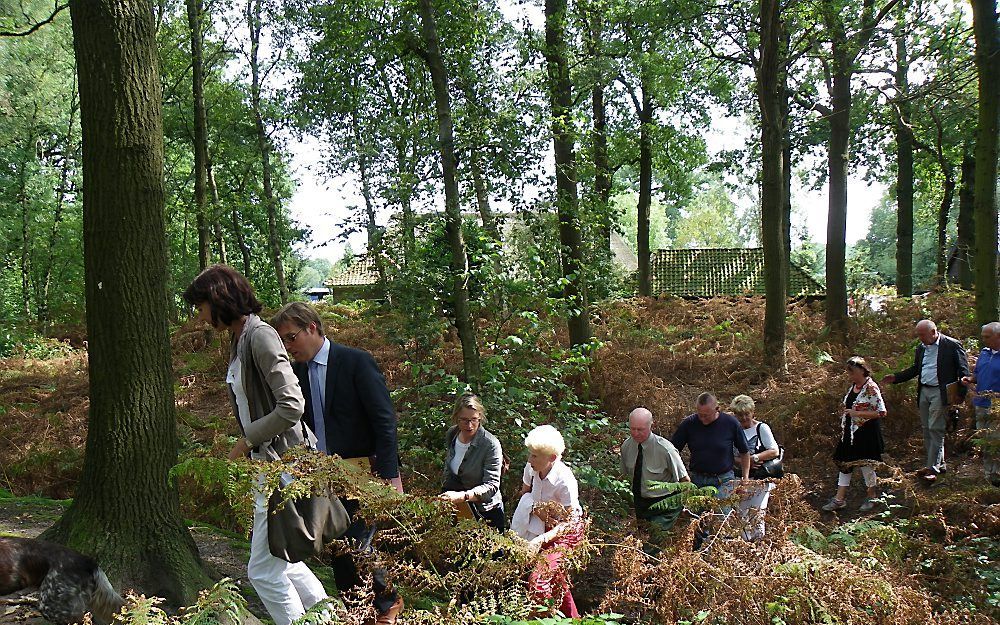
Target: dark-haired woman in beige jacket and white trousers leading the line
[268, 405]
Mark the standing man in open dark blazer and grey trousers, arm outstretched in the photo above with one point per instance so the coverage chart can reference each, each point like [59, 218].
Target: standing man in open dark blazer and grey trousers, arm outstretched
[946, 364]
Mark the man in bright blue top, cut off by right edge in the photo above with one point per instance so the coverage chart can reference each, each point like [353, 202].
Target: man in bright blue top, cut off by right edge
[985, 381]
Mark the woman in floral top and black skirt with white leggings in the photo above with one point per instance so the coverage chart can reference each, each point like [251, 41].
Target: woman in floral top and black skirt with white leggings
[861, 443]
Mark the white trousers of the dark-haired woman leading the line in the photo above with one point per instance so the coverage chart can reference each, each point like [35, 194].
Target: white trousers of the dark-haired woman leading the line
[287, 590]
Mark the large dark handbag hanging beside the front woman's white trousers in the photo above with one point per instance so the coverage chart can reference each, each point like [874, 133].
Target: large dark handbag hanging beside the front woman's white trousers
[299, 528]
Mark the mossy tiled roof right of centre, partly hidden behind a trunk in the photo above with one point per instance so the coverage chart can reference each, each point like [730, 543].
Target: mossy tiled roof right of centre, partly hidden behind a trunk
[708, 272]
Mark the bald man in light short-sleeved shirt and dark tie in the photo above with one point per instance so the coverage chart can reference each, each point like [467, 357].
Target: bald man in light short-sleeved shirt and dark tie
[646, 457]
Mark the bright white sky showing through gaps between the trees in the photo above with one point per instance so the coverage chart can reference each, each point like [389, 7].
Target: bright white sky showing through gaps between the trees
[324, 204]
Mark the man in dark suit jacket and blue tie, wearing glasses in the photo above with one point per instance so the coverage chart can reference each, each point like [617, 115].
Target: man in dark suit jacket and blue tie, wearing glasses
[349, 409]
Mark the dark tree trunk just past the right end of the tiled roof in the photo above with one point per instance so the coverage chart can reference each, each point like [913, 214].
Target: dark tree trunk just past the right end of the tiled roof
[836, 228]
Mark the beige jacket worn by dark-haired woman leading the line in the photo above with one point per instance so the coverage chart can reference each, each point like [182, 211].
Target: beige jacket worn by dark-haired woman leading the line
[273, 392]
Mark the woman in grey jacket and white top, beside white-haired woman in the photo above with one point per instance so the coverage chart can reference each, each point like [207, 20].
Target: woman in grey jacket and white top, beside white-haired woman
[473, 463]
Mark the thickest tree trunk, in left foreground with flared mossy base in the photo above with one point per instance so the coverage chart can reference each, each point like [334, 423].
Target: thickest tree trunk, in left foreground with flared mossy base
[125, 511]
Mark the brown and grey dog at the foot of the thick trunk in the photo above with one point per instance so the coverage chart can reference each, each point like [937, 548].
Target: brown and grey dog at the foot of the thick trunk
[69, 583]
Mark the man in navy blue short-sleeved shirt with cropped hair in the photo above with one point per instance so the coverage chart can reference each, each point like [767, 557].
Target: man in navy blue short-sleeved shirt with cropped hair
[712, 435]
